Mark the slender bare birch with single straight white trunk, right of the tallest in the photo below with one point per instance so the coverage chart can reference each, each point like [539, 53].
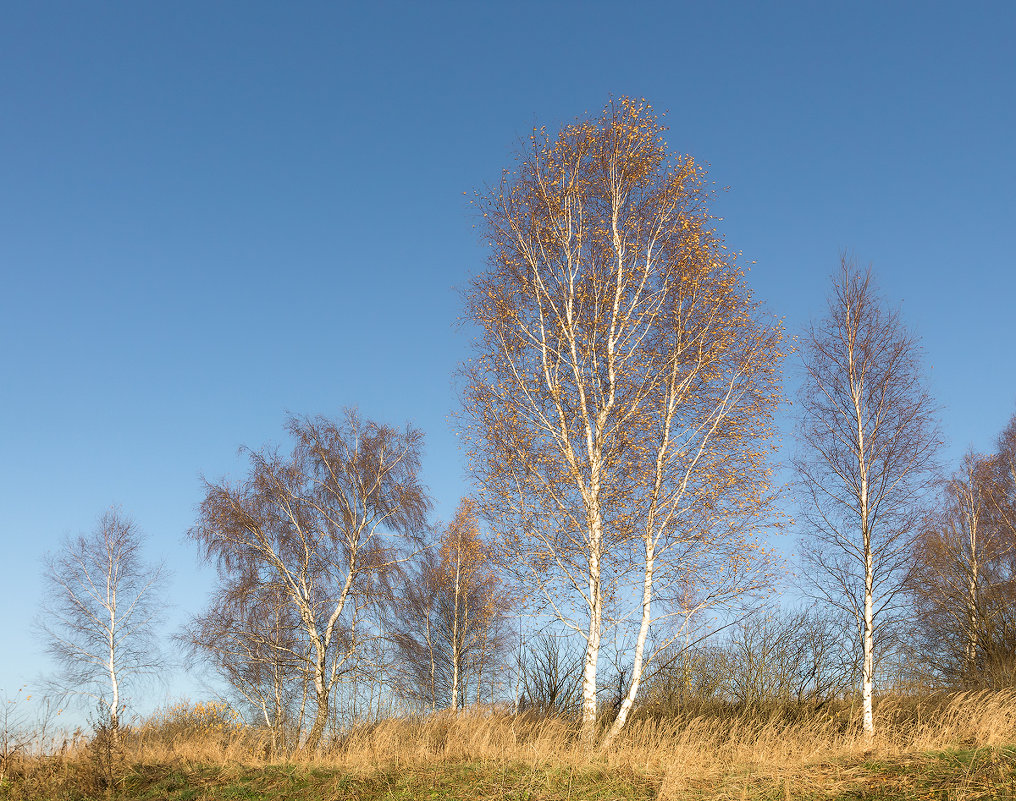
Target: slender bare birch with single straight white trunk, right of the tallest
[867, 445]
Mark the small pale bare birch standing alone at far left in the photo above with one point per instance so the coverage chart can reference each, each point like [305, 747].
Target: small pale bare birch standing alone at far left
[101, 613]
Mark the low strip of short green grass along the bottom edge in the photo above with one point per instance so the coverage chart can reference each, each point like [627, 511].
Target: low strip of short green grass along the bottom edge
[954, 775]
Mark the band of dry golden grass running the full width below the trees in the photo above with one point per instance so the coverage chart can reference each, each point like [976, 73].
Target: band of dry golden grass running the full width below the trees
[950, 747]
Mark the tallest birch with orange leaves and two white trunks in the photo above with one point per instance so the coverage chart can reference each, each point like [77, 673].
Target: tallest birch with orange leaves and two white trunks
[618, 405]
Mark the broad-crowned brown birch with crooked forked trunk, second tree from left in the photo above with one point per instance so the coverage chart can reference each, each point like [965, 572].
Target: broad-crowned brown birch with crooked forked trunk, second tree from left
[316, 527]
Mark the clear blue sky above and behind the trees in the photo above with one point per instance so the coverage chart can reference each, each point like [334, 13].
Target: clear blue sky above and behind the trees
[212, 214]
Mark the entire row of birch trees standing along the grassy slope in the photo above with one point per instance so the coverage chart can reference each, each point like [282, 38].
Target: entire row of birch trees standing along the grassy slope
[618, 414]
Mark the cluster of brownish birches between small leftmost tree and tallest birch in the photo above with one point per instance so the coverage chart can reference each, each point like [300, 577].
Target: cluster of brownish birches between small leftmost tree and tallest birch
[338, 600]
